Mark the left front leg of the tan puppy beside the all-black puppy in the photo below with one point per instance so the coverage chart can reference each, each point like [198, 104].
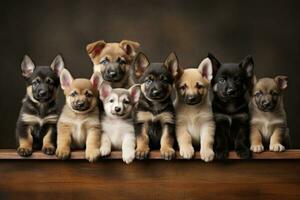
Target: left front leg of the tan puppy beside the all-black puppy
[184, 139]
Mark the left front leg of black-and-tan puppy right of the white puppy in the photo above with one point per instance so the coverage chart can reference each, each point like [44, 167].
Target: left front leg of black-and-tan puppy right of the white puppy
[142, 141]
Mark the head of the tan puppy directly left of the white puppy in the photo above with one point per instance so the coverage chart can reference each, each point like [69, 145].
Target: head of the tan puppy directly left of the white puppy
[81, 94]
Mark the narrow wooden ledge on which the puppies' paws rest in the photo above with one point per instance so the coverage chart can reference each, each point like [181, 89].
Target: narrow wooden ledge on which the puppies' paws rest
[11, 154]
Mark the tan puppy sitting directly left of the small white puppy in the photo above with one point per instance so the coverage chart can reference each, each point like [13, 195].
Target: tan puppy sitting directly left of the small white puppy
[78, 125]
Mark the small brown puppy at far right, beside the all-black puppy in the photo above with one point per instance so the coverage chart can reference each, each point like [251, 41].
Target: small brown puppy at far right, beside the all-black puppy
[268, 123]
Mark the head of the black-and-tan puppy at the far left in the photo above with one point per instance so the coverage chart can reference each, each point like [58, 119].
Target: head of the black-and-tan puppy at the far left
[41, 81]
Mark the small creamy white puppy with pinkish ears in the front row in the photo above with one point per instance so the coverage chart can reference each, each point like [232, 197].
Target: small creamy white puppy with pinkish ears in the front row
[117, 125]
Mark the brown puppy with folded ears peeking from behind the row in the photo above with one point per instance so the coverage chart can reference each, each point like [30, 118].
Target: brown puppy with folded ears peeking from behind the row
[113, 61]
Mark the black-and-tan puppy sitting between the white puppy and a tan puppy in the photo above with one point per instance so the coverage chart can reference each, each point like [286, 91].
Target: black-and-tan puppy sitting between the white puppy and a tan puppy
[154, 116]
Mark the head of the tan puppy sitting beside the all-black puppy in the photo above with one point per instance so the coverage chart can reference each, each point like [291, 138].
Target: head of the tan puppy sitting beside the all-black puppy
[193, 85]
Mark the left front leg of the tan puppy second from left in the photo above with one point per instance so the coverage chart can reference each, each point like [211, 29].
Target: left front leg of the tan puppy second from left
[64, 140]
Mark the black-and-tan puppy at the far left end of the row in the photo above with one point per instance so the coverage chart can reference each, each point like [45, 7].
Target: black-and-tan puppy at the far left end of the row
[36, 125]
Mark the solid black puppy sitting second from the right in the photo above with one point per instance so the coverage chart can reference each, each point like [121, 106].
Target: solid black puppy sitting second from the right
[231, 84]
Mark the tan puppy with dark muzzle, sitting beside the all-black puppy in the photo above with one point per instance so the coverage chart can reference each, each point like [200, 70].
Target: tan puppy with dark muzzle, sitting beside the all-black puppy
[194, 124]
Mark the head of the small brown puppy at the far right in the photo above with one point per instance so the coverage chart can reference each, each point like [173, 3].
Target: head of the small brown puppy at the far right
[267, 92]
